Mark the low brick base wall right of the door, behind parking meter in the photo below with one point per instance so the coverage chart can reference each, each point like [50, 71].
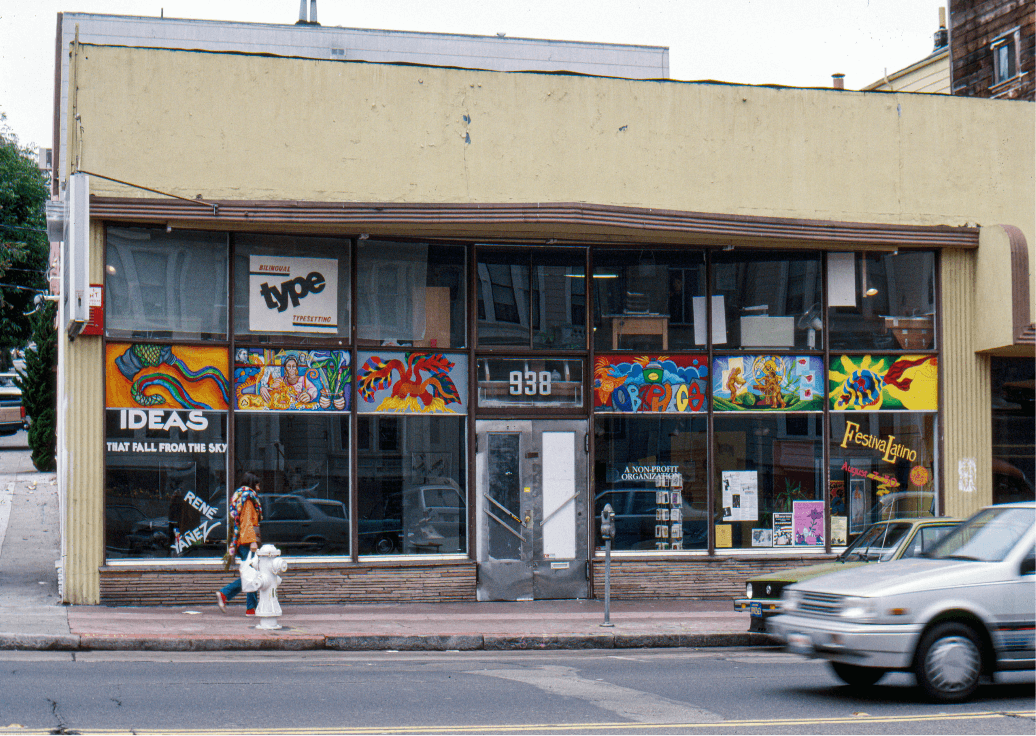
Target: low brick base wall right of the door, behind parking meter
[701, 578]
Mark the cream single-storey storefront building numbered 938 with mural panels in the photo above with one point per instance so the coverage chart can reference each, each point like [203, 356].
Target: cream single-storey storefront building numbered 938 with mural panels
[448, 315]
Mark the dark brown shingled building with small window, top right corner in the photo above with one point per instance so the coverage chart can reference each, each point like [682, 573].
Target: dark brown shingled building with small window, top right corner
[992, 48]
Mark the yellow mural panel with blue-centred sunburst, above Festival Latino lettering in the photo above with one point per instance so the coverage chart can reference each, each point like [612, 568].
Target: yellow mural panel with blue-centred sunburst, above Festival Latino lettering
[874, 383]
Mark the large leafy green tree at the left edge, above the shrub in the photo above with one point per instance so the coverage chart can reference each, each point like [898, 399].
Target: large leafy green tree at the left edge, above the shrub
[24, 248]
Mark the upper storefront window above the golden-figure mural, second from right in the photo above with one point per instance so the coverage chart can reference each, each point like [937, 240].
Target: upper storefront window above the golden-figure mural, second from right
[768, 300]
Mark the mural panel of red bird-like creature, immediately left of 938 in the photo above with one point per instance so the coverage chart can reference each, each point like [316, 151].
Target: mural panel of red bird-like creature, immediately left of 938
[412, 383]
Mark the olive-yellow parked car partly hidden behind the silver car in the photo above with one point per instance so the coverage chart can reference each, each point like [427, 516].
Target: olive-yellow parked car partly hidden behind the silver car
[881, 543]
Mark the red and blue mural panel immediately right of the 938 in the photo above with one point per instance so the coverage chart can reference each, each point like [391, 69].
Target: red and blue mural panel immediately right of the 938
[655, 384]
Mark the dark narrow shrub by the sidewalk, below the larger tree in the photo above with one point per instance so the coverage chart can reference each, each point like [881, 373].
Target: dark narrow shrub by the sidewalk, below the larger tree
[39, 386]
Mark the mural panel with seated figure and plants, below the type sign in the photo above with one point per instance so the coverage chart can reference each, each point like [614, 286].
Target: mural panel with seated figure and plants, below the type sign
[293, 381]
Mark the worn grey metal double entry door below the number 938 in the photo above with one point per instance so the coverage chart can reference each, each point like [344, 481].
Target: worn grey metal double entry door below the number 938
[532, 509]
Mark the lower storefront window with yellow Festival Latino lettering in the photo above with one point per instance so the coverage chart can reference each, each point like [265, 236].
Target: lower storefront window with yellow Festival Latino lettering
[883, 466]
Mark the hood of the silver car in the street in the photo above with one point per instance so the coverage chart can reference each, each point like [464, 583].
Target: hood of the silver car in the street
[897, 577]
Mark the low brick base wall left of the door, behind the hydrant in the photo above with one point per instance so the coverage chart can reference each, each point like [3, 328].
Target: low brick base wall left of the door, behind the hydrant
[304, 583]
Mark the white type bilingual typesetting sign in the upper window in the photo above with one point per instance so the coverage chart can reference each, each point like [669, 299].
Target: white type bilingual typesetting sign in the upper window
[293, 295]
